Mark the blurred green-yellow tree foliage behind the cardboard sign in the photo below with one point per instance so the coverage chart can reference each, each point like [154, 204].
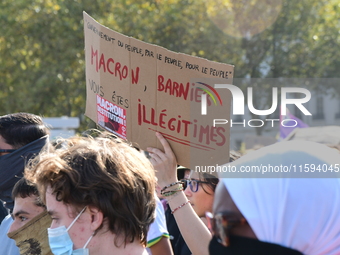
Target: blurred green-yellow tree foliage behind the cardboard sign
[42, 43]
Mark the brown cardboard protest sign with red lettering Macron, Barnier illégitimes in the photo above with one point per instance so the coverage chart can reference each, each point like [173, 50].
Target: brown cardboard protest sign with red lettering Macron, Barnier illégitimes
[135, 88]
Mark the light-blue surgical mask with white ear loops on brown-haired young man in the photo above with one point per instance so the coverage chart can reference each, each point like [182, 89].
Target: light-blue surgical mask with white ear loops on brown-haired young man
[61, 242]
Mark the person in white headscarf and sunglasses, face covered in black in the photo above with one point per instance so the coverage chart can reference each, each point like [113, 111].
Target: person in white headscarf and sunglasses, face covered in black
[285, 215]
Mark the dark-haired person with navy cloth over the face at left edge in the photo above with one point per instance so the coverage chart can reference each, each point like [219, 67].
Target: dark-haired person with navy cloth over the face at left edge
[22, 135]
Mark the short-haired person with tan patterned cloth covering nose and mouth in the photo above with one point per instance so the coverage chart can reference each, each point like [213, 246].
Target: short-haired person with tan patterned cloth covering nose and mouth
[31, 220]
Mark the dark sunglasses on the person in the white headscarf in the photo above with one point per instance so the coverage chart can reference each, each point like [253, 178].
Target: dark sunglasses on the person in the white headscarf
[220, 224]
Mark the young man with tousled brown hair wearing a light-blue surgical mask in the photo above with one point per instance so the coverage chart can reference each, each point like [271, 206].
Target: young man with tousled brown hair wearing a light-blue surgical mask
[99, 193]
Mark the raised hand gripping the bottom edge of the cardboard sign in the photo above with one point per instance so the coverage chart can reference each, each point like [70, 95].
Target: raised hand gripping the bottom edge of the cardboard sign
[165, 162]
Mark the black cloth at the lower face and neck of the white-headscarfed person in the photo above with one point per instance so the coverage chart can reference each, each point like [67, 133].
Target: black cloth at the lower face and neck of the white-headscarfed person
[247, 246]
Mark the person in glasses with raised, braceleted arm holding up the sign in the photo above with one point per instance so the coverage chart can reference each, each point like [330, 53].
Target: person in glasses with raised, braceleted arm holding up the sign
[188, 200]
